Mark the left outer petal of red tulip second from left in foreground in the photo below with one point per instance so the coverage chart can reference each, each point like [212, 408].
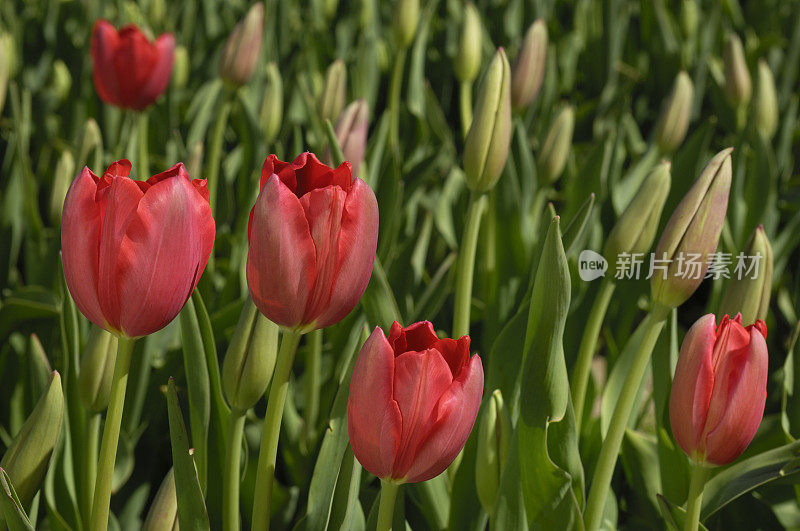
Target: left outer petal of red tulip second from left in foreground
[281, 262]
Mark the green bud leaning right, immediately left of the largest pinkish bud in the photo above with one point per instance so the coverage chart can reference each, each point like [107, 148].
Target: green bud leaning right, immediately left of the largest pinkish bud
[636, 228]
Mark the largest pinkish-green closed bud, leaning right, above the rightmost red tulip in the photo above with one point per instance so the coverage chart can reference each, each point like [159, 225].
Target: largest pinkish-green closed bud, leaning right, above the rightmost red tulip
[692, 234]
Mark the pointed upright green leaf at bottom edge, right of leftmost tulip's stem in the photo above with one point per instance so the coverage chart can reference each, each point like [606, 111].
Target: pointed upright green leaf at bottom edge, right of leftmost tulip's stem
[192, 513]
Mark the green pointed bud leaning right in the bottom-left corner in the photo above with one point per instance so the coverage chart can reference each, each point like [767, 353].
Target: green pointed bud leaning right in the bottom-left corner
[28, 457]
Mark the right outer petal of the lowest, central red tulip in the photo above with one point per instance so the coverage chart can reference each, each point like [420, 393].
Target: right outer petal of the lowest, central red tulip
[455, 416]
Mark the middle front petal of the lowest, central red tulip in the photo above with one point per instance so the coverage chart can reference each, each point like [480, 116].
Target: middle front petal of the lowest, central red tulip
[420, 380]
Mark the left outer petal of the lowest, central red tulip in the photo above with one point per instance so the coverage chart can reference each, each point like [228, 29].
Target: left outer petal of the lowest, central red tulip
[374, 421]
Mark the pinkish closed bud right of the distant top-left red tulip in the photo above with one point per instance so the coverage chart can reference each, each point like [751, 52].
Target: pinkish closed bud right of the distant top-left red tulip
[240, 55]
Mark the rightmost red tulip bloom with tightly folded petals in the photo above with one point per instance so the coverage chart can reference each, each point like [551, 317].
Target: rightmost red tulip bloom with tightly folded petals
[720, 388]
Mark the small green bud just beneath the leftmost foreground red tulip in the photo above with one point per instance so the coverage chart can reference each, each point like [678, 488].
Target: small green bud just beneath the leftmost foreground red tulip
[97, 370]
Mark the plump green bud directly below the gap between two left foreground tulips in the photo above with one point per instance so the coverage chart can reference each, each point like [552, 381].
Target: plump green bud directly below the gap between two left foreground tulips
[249, 361]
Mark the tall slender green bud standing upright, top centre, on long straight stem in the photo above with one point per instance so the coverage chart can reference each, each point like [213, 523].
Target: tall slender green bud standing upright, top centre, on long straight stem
[487, 143]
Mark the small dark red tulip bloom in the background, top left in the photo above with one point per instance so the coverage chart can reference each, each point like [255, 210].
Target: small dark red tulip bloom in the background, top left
[130, 71]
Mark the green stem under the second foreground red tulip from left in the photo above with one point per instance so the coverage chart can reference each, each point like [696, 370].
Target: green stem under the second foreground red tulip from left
[271, 431]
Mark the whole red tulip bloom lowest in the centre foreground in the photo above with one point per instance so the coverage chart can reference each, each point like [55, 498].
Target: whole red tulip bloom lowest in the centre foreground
[413, 401]
